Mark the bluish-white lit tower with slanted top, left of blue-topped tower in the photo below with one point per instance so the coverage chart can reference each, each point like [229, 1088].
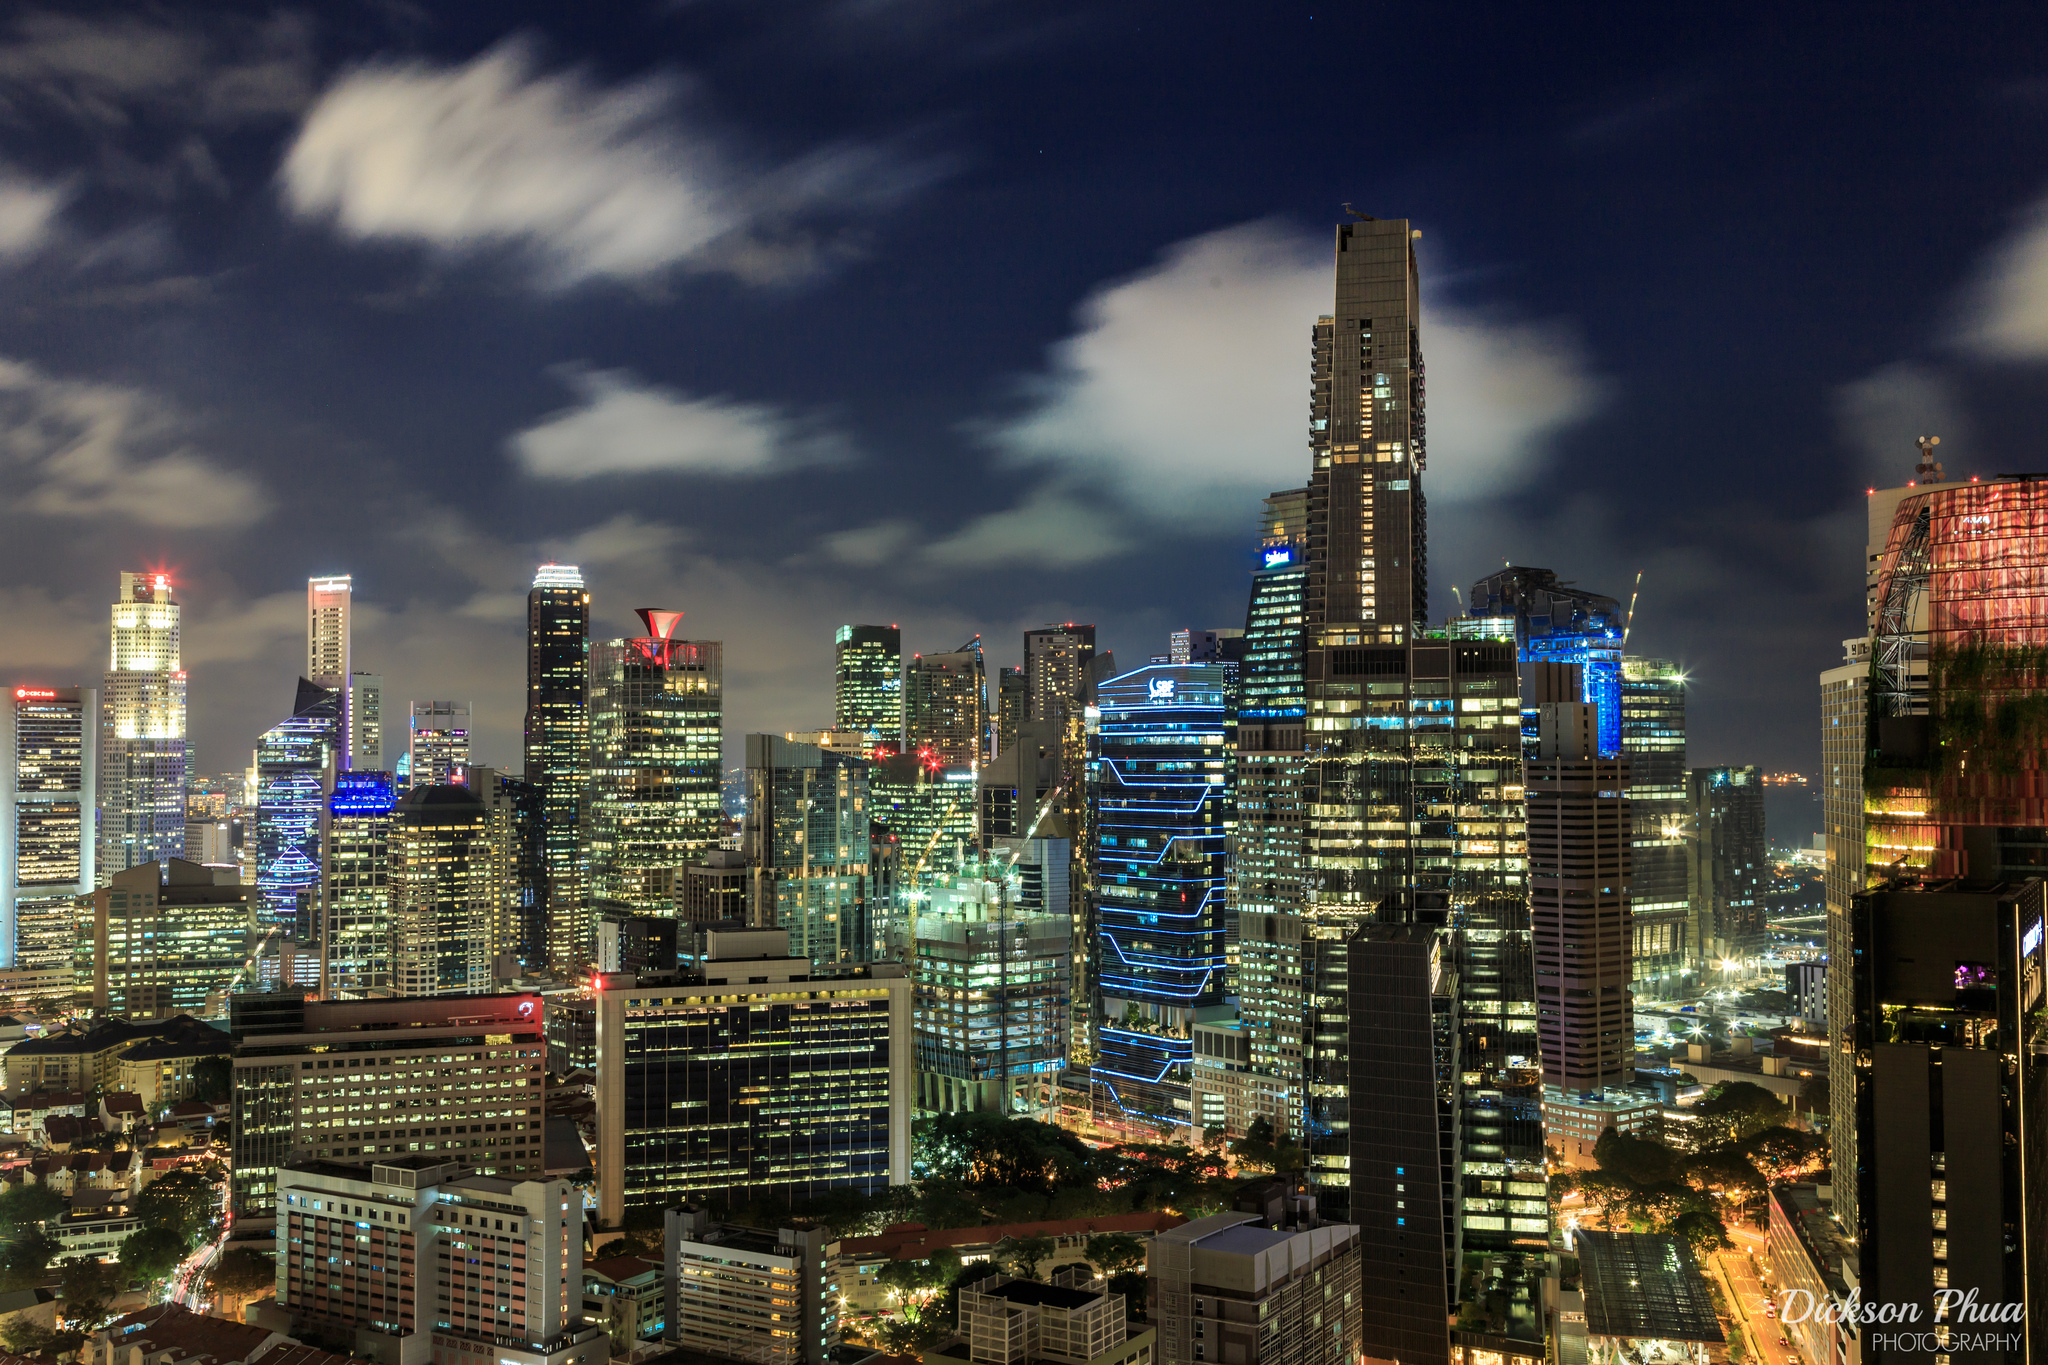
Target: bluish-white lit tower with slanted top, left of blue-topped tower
[292, 760]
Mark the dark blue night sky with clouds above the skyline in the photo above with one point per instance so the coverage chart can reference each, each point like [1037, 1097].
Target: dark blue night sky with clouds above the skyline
[980, 316]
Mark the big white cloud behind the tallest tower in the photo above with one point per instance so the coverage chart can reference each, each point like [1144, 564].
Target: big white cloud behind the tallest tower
[1187, 386]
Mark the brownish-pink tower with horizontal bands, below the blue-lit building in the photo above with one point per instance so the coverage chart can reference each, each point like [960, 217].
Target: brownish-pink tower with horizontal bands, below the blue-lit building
[1580, 865]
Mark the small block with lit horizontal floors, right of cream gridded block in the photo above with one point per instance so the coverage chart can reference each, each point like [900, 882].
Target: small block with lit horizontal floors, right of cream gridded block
[749, 1294]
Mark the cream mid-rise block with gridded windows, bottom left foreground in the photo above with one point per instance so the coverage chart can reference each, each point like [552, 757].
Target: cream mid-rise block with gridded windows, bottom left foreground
[417, 1262]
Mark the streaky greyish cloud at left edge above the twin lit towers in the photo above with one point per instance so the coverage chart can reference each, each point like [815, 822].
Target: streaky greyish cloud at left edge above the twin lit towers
[99, 451]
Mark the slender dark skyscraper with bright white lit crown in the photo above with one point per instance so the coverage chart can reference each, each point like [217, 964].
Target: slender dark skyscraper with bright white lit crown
[558, 750]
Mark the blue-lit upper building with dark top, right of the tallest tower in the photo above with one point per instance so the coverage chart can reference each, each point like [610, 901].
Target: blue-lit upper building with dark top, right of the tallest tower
[1558, 623]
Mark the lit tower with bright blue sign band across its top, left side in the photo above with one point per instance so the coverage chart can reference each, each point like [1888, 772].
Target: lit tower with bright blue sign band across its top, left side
[355, 885]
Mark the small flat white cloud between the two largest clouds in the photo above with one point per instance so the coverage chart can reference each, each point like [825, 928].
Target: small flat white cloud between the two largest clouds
[626, 427]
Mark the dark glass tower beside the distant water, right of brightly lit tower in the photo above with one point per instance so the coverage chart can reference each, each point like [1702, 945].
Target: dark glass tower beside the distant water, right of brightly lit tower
[1727, 867]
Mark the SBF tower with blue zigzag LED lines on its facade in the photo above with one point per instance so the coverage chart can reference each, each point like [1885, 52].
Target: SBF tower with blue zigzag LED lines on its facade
[1164, 781]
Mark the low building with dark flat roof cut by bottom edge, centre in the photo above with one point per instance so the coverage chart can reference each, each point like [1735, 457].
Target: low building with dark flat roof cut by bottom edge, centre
[1021, 1323]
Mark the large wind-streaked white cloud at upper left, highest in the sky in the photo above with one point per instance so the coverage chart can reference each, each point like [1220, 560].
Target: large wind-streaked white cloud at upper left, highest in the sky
[591, 181]
